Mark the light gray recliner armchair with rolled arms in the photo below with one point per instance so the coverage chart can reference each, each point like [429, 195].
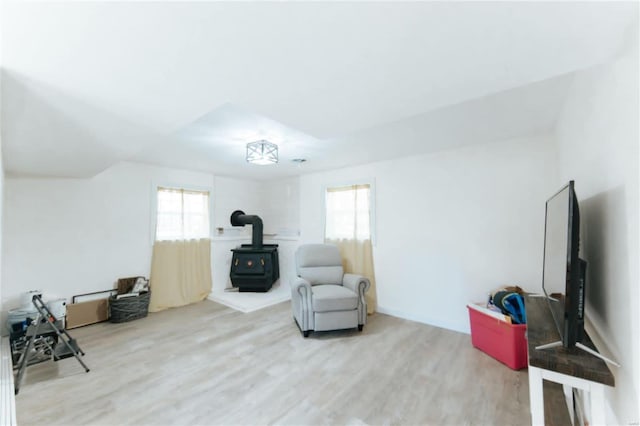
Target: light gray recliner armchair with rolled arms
[323, 297]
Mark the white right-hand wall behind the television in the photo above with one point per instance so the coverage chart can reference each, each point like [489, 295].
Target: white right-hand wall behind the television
[597, 139]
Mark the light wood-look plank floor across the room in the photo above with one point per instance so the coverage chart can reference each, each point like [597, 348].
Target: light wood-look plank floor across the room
[207, 364]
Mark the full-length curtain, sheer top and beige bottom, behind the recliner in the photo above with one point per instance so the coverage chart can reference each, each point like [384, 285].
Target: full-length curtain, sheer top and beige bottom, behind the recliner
[348, 225]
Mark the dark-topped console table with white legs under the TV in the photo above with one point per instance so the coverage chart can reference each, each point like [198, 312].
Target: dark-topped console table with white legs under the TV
[573, 367]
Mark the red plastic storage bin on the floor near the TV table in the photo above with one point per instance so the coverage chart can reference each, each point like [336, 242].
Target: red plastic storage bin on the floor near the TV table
[503, 341]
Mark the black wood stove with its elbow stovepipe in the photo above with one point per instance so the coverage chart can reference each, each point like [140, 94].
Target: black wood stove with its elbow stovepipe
[255, 266]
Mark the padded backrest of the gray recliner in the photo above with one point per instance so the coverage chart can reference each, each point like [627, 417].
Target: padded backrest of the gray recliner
[319, 264]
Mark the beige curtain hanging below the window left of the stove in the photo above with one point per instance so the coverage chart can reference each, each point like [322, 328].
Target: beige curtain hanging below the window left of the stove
[180, 273]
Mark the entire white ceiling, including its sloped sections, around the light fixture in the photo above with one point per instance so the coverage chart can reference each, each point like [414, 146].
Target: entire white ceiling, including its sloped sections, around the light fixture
[86, 84]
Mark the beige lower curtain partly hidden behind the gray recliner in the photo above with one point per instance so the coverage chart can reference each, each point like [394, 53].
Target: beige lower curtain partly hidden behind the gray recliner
[357, 258]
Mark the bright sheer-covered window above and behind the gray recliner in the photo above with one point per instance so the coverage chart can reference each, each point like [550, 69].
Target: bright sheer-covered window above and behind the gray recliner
[348, 212]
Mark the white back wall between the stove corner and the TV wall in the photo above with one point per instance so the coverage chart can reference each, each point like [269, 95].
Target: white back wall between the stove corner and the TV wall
[451, 226]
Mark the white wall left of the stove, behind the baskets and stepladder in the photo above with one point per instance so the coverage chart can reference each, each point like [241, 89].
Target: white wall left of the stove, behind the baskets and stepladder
[70, 236]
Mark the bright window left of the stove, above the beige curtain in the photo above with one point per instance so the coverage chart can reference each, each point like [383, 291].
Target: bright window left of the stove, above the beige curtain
[182, 214]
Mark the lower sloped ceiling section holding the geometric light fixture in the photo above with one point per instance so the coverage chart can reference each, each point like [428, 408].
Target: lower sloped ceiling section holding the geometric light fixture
[217, 141]
